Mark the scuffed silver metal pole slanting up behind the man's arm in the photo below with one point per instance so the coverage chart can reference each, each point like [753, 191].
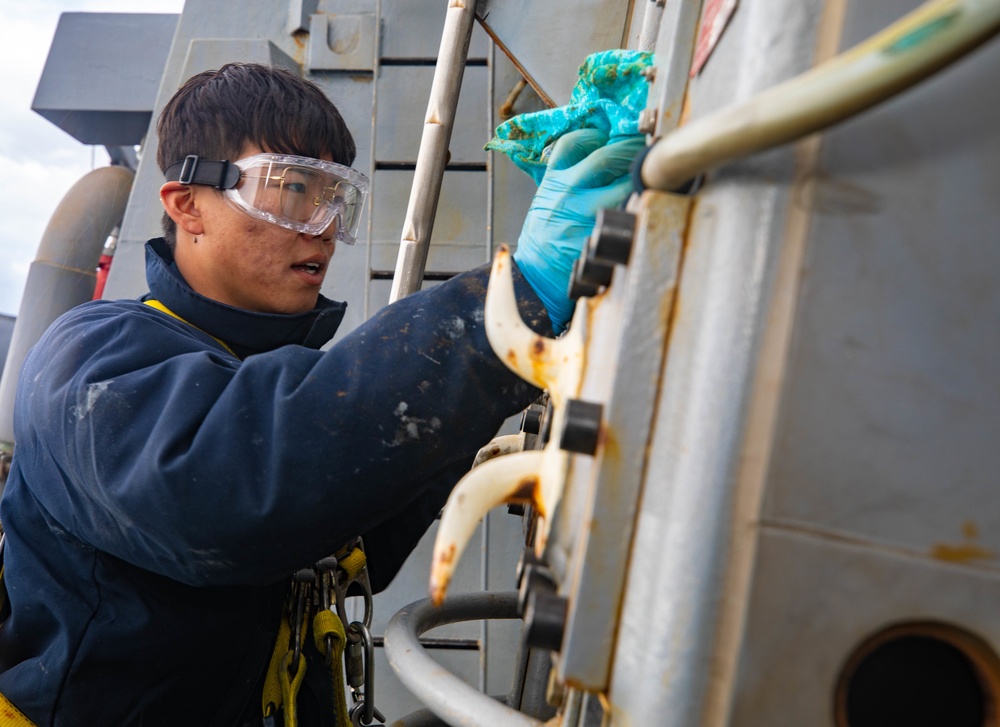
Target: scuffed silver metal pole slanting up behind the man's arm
[433, 153]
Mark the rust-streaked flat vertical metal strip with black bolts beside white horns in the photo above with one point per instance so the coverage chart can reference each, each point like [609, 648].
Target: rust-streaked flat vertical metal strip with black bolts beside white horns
[625, 351]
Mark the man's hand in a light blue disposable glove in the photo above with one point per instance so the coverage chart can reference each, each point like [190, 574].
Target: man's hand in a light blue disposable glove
[584, 174]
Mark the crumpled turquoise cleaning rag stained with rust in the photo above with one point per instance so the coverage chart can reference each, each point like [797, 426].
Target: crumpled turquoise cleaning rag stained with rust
[609, 96]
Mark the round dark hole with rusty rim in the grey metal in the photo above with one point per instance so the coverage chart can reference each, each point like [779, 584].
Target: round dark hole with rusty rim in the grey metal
[920, 675]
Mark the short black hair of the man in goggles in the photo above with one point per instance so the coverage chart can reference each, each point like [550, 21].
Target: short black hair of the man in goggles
[216, 113]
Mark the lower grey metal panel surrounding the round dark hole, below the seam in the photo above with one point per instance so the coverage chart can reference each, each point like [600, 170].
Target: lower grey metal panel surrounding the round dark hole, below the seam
[815, 600]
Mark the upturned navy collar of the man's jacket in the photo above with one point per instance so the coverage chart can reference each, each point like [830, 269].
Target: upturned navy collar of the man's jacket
[244, 331]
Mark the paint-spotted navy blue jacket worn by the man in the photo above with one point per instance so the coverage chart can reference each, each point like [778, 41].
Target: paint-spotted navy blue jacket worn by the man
[162, 490]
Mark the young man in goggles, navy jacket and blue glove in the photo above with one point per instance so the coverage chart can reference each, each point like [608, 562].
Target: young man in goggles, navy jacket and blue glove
[180, 456]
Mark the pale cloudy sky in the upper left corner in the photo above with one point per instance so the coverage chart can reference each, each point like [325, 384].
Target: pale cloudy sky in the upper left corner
[40, 161]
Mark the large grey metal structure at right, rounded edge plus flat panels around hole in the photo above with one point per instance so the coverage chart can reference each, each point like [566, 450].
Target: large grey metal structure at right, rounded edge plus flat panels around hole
[803, 494]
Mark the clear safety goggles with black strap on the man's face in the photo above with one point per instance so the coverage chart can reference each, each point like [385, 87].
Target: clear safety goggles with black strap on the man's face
[297, 193]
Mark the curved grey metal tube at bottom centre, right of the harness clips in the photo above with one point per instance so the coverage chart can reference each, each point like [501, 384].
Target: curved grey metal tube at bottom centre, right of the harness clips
[450, 698]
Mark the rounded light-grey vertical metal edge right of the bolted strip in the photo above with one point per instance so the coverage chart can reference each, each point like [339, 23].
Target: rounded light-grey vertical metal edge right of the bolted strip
[676, 591]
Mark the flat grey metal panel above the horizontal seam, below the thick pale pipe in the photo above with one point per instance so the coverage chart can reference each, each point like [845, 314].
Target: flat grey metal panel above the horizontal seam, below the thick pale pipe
[890, 418]
